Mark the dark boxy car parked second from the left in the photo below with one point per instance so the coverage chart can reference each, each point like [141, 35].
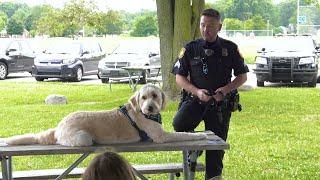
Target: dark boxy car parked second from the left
[68, 60]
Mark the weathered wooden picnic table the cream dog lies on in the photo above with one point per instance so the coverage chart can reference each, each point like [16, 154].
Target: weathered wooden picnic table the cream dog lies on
[8, 152]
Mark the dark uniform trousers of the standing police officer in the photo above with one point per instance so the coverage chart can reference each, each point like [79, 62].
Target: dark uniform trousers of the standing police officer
[188, 117]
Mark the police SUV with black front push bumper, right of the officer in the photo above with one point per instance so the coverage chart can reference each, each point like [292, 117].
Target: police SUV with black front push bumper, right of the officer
[288, 59]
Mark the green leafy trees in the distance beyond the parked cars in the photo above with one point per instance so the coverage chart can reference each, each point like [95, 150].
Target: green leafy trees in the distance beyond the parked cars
[79, 15]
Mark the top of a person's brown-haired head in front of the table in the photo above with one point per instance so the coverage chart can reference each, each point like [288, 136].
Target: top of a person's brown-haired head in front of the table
[108, 166]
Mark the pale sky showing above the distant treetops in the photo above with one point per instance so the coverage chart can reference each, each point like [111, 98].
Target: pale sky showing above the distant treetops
[127, 5]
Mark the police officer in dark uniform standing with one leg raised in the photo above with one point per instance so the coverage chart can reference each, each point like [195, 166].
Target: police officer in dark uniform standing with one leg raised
[204, 70]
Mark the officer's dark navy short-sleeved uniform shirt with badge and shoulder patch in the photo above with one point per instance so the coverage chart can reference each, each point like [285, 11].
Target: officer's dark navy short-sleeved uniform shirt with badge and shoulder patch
[210, 70]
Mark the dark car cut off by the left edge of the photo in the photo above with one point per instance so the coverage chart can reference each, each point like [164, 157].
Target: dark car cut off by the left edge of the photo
[15, 56]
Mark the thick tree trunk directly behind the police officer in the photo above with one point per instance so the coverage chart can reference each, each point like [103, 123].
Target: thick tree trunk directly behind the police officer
[178, 24]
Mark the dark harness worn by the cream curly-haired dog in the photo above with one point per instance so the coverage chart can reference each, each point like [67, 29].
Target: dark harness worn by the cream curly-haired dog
[143, 135]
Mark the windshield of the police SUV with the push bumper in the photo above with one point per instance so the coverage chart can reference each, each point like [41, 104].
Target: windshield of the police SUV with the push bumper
[293, 44]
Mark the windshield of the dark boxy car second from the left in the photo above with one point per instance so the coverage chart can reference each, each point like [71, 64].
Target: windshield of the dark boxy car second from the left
[68, 48]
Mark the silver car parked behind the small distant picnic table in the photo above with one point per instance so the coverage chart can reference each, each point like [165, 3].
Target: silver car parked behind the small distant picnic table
[123, 56]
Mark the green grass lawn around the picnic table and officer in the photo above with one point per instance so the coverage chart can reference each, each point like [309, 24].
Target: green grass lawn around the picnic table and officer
[276, 136]
